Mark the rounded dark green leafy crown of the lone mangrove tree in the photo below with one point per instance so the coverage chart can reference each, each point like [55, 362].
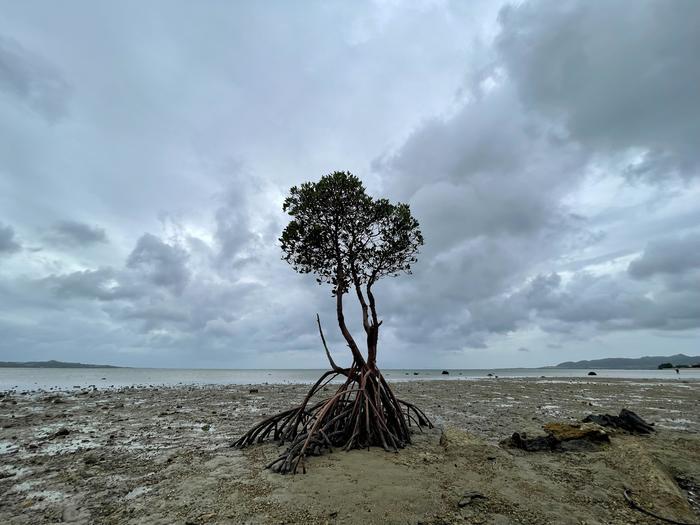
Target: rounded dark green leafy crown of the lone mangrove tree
[344, 236]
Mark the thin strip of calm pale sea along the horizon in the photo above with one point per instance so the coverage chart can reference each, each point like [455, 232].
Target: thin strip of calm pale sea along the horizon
[67, 378]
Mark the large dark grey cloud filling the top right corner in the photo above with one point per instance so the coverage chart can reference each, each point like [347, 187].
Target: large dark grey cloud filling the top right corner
[620, 77]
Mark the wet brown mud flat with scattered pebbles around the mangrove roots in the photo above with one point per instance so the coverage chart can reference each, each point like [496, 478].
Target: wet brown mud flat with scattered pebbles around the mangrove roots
[162, 456]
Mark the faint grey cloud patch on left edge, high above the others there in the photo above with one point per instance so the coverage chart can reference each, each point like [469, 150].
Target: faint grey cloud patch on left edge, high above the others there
[32, 80]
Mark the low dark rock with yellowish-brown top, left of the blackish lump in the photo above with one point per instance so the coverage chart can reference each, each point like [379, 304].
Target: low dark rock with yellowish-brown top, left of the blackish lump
[562, 437]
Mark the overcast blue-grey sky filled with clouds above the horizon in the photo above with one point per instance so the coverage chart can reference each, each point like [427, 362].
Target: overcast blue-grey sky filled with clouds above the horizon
[550, 151]
